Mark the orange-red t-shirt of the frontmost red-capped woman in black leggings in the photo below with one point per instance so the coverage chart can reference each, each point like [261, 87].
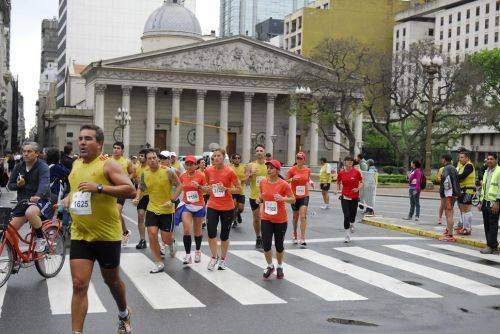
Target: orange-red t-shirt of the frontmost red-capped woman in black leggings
[271, 210]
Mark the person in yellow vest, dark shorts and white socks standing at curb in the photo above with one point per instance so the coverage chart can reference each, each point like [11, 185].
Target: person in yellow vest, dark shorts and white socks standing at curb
[467, 181]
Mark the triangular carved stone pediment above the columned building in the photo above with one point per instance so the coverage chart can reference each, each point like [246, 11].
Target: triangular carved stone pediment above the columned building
[234, 55]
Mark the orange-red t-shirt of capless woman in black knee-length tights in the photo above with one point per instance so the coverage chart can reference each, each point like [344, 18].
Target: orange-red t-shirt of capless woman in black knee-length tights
[219, 199]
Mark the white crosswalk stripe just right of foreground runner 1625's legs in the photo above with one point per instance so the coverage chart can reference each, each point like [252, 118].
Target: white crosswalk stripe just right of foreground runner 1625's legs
[160, 290]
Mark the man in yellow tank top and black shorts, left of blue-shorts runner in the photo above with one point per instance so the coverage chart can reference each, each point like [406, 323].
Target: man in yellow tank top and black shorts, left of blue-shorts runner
[159, 181]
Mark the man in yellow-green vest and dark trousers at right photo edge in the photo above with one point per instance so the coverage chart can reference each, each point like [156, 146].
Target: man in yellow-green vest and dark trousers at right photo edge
[490, 203]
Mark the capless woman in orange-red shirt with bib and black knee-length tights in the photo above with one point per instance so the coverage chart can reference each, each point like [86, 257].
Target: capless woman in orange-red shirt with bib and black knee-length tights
[222, 182]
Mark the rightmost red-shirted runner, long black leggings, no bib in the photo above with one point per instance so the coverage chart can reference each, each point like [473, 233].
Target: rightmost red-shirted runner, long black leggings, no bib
[350, 181]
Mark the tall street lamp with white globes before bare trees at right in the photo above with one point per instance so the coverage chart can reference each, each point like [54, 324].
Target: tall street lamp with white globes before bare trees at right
[431, 67]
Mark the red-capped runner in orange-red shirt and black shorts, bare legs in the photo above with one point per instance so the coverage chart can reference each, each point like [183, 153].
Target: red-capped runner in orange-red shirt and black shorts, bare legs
[299, 177]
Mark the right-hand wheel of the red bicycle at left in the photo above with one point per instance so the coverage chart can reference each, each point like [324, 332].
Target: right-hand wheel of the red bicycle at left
[55, 254]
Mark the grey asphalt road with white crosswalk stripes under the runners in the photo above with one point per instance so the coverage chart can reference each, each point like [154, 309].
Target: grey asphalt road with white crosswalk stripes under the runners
[372, 287]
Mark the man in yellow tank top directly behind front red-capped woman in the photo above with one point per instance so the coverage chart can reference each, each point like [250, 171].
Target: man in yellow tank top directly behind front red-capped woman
[256, 171]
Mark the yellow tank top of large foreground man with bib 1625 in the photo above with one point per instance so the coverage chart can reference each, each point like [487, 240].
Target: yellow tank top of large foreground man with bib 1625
[104, 223]
